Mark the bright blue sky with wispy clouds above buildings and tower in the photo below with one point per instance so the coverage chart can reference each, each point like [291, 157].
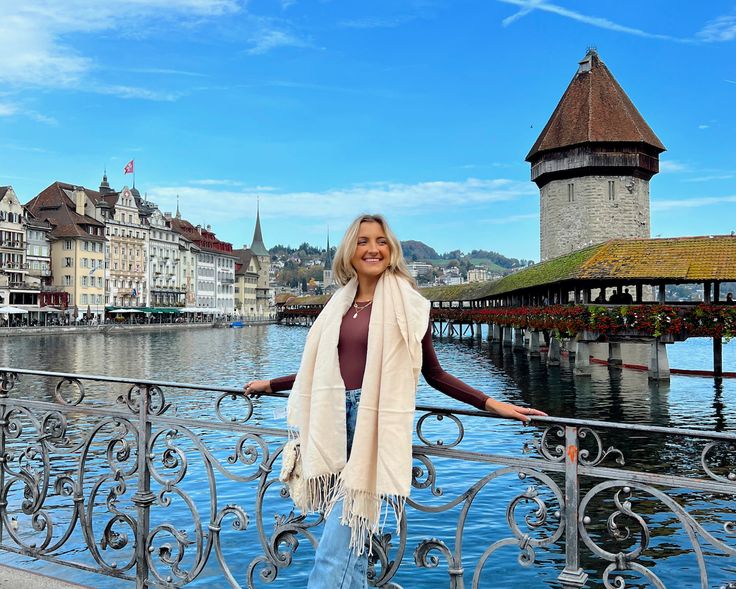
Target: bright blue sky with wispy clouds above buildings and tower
[423, 110]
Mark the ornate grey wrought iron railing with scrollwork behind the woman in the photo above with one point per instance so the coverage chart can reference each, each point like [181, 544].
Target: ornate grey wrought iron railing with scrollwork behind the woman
[165, 484]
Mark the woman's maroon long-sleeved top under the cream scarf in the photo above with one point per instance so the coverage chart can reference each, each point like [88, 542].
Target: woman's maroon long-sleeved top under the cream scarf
[352, 348]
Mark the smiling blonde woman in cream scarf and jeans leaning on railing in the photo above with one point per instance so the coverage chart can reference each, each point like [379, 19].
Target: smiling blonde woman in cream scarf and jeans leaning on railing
[352, 400]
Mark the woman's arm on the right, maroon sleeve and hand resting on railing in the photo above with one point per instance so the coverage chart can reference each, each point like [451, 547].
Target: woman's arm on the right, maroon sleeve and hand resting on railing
[444, 382]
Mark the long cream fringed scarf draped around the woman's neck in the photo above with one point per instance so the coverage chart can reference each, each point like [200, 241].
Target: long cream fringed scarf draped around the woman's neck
[378, 474]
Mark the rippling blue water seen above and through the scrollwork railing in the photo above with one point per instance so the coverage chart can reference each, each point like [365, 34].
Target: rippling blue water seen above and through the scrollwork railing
[228, 357]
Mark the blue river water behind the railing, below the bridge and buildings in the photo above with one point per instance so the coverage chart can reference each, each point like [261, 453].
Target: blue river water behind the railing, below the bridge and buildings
[229, 357]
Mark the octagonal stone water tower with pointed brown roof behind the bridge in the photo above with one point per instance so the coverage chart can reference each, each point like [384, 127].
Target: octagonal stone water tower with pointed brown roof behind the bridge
[592, 164]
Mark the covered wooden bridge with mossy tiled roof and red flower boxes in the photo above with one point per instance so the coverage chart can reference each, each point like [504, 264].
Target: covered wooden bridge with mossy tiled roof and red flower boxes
[614, 292]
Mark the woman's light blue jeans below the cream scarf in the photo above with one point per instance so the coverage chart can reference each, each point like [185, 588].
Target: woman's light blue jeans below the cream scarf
[336, 566]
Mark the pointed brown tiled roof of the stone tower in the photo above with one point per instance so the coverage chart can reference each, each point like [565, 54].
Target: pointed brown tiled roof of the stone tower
[594, 109]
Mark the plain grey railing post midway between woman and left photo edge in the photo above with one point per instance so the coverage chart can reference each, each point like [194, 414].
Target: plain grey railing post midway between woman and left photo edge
[143, 498]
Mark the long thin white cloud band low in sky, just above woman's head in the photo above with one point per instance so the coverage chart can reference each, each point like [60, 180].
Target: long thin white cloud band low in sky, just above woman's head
[341, 204]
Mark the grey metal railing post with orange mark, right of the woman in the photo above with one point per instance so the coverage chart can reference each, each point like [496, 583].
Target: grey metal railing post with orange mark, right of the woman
[573, 575]
